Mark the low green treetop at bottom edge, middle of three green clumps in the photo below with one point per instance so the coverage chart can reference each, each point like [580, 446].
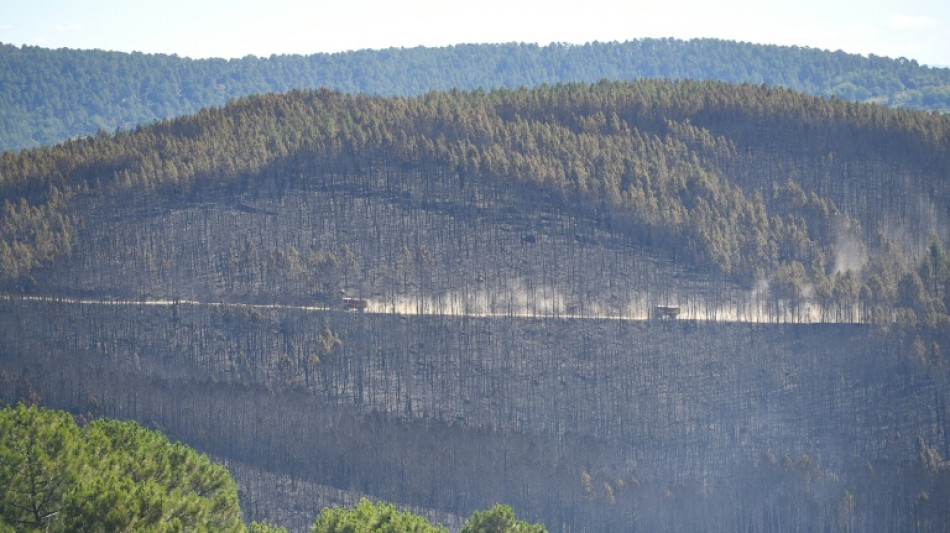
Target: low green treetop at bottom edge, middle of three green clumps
[369, 517]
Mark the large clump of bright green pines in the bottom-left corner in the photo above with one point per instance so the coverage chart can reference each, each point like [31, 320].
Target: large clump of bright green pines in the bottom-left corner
[106, 476]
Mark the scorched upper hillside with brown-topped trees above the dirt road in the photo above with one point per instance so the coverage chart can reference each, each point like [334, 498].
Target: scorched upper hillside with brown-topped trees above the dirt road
[839, 209]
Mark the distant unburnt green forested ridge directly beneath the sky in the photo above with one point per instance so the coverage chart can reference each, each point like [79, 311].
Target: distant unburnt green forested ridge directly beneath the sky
[47, 96]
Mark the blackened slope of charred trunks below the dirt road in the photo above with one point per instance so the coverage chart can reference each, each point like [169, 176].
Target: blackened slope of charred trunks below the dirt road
[584, 424]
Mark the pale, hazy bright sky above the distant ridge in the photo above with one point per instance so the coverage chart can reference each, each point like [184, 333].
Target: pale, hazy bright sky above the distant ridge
[915, 29]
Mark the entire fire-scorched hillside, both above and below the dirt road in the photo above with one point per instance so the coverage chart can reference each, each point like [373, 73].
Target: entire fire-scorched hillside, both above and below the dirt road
[511, 245]
